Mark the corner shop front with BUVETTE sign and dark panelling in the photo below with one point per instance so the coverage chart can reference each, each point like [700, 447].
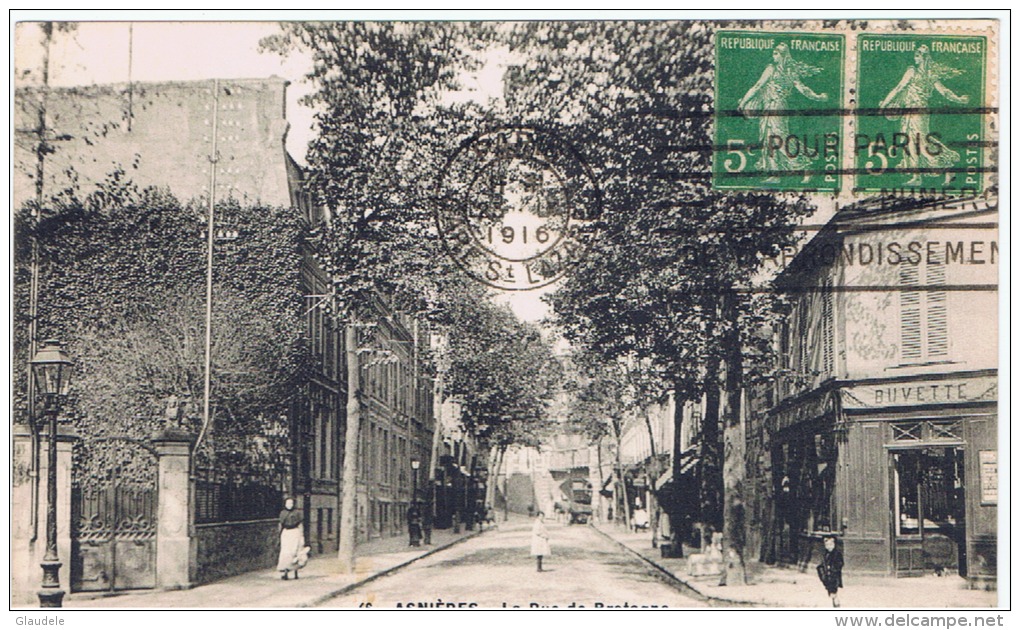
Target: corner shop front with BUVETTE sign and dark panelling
[903, 469]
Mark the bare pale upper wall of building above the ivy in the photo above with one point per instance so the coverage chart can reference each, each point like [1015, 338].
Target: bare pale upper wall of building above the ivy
[160, 135]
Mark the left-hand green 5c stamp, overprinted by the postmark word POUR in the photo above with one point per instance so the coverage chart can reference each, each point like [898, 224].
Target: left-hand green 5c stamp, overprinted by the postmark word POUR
[778, 111]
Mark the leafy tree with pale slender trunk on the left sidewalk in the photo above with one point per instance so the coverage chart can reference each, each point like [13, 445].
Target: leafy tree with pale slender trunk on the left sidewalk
[383, 135]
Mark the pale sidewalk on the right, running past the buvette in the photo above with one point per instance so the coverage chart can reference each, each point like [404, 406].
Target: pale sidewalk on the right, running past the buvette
[786, 588]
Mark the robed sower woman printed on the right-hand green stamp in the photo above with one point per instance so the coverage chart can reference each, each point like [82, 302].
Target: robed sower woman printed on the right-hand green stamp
[914, 93]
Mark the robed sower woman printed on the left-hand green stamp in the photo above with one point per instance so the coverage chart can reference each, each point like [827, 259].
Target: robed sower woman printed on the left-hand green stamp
[769, 99]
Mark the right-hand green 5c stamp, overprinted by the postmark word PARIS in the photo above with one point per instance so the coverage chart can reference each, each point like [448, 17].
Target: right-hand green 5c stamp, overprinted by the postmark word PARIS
[920, 114]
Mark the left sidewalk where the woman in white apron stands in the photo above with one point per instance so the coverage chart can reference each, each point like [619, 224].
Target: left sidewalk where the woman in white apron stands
[320, 582]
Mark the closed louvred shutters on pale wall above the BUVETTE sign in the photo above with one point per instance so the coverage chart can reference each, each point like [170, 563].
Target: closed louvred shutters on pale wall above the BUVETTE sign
[924, 318]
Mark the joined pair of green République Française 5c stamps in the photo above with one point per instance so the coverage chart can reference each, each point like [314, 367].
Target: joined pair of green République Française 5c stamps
[910, 111]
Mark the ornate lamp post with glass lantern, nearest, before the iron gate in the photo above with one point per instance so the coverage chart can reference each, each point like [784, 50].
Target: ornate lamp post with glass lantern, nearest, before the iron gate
[52, 367]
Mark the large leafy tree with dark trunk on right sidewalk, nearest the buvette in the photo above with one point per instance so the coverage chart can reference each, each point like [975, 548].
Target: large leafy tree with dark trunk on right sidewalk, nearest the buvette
[666, 280]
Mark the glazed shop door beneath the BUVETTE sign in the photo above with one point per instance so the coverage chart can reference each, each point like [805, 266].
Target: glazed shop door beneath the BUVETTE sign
[929, 511]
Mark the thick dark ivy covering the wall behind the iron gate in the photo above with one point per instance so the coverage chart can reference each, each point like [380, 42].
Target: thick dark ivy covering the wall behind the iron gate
[123, 285]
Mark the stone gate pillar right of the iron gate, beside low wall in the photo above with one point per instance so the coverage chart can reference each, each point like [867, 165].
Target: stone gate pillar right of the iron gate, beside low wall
[176, 548]
